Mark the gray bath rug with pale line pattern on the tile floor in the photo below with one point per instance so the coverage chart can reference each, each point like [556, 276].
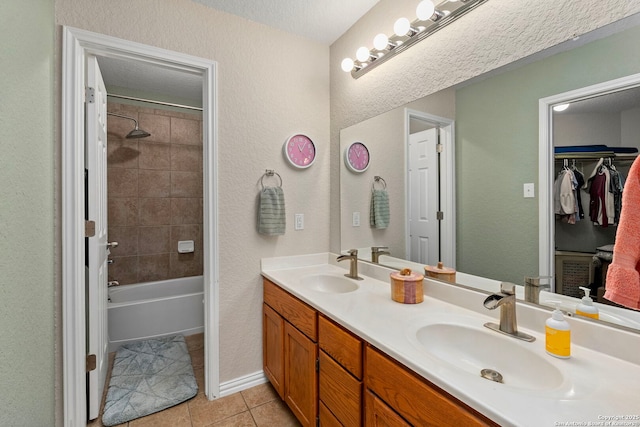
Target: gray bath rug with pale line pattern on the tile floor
[148, 376]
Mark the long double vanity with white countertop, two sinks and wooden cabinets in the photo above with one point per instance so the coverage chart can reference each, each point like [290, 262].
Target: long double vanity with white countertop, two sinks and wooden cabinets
[340, 351]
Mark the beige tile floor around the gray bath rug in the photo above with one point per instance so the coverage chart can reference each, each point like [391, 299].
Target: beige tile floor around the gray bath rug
[255, 407]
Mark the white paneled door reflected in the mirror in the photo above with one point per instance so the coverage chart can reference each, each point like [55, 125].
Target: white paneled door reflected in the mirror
[423, 201]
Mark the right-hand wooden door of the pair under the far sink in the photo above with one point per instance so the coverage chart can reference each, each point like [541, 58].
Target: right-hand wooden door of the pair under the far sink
[301, 381]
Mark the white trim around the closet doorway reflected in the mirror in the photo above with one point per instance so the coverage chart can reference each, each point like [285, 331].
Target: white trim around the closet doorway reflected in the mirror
[546, 220]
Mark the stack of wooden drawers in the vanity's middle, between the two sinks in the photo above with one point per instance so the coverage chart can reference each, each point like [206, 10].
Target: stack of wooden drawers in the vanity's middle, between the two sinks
[340, 375]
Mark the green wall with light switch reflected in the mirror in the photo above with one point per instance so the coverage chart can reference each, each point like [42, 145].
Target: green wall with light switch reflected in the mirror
[497, 152]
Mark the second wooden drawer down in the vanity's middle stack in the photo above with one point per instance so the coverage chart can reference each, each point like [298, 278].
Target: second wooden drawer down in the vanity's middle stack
[340, 392]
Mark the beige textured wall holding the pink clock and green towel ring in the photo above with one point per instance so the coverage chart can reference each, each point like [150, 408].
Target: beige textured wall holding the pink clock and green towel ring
[271, 85]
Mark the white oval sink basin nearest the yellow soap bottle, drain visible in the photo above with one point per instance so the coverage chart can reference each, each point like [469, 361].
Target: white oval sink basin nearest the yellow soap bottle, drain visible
[483, 353]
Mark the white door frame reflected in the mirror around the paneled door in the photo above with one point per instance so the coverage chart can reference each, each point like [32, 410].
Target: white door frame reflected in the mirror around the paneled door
[447, 181]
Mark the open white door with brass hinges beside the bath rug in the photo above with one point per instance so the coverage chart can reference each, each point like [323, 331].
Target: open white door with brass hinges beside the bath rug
[96, 190]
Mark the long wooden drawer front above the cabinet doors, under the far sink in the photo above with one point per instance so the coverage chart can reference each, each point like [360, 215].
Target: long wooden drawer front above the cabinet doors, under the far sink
[292, 309]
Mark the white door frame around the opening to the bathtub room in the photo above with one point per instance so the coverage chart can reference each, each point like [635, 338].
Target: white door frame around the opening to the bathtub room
[76, 45]
